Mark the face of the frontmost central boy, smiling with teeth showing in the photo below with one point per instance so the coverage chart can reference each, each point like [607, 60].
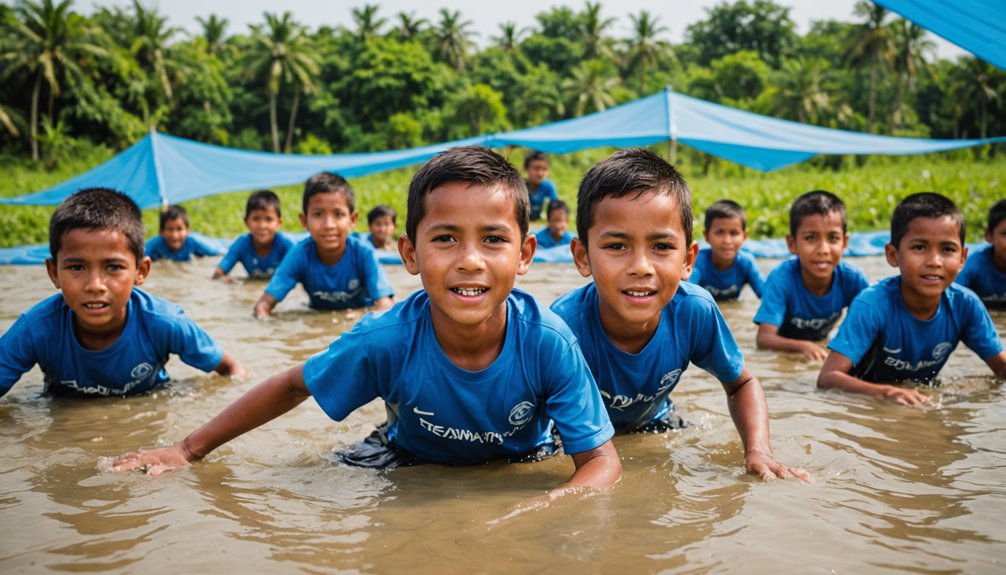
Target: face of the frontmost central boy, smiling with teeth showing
[468, 251]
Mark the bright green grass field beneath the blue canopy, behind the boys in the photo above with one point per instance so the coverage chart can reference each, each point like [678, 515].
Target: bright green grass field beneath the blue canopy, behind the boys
[871, 188]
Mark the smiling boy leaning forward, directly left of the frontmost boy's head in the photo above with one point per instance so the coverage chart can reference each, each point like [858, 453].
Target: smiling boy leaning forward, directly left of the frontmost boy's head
[339, 271]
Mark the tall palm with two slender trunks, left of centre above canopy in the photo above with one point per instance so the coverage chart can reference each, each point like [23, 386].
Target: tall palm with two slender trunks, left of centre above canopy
[282, 55]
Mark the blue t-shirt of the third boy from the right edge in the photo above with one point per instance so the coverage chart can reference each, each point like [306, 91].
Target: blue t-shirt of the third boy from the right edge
[800, 315]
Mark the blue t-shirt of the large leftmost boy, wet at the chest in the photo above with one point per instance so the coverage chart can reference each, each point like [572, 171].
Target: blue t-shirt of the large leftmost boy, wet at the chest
[46, 335]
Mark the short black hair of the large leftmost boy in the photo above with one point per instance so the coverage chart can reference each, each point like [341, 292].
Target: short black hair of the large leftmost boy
[95, 210]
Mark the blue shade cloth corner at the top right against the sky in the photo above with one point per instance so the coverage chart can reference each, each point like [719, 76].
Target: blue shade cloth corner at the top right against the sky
[978, 27]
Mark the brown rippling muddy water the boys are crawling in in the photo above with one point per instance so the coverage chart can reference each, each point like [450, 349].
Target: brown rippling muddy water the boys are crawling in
[897, 490]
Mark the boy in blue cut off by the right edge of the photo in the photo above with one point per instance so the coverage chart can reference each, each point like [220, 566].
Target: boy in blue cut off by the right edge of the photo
[985, 273]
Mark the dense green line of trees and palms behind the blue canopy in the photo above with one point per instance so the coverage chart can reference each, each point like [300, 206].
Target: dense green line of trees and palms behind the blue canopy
[398, 81]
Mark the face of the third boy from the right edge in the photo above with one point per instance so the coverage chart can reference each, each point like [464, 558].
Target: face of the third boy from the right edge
[819, 245]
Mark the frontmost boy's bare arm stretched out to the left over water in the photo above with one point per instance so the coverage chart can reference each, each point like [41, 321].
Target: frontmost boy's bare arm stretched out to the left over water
[265, 403]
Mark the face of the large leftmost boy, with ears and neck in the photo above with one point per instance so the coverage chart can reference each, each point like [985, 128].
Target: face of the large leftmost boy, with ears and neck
[96, 271]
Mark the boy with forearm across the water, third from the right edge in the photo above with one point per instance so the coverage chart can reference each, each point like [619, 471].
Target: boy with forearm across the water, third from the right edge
[804, 297]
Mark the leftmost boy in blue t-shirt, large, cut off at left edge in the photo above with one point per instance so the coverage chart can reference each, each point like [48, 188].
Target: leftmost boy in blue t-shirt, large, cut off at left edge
[101, 336]
